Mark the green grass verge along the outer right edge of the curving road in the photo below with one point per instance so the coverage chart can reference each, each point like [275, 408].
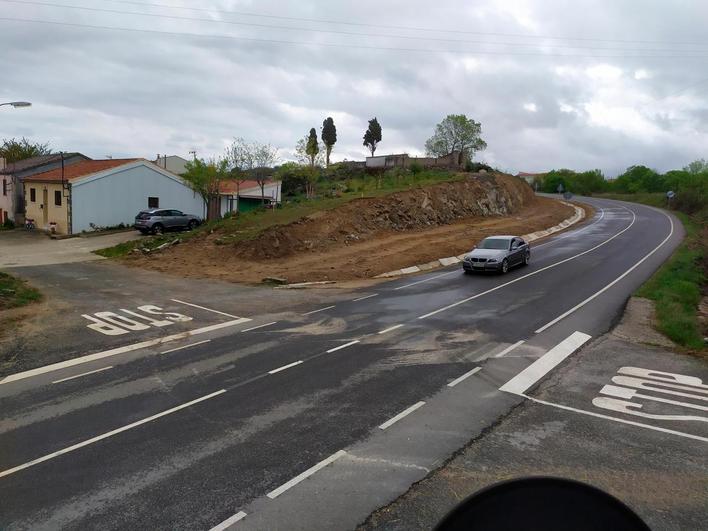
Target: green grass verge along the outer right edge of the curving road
[677, 287]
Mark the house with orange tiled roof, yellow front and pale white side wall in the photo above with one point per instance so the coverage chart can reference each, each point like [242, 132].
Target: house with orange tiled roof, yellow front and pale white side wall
[104, 193]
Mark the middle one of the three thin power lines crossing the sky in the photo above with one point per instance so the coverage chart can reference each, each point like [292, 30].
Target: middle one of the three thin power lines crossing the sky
[338, 32]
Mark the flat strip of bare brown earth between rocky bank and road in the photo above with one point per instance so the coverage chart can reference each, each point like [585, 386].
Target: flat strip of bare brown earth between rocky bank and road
[384, 252]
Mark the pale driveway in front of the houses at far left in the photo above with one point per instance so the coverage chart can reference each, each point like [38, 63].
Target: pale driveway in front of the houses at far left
[20, 248]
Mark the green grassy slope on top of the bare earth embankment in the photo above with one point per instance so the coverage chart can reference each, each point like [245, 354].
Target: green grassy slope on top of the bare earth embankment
[249, 225]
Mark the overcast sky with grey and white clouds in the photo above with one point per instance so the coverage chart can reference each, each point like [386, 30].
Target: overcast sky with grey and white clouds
[580, 84]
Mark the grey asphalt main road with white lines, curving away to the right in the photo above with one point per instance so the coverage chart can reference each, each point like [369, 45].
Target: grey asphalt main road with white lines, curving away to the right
[199, 411]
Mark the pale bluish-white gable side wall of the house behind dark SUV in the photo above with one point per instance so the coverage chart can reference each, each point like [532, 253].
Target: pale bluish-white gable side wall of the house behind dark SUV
[118, 195]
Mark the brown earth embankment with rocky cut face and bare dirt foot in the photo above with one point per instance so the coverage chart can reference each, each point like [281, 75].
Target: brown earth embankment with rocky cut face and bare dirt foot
[370, 236]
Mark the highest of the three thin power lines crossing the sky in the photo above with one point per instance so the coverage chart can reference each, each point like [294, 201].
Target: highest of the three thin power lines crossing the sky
[406, 28]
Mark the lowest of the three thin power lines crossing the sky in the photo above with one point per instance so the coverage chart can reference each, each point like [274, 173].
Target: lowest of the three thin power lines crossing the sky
[339, 45]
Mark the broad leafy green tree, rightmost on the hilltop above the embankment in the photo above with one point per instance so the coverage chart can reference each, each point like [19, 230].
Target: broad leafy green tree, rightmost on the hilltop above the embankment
[456, 133]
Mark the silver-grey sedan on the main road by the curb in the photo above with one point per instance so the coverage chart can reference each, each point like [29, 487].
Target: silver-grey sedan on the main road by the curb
[497, 253]
